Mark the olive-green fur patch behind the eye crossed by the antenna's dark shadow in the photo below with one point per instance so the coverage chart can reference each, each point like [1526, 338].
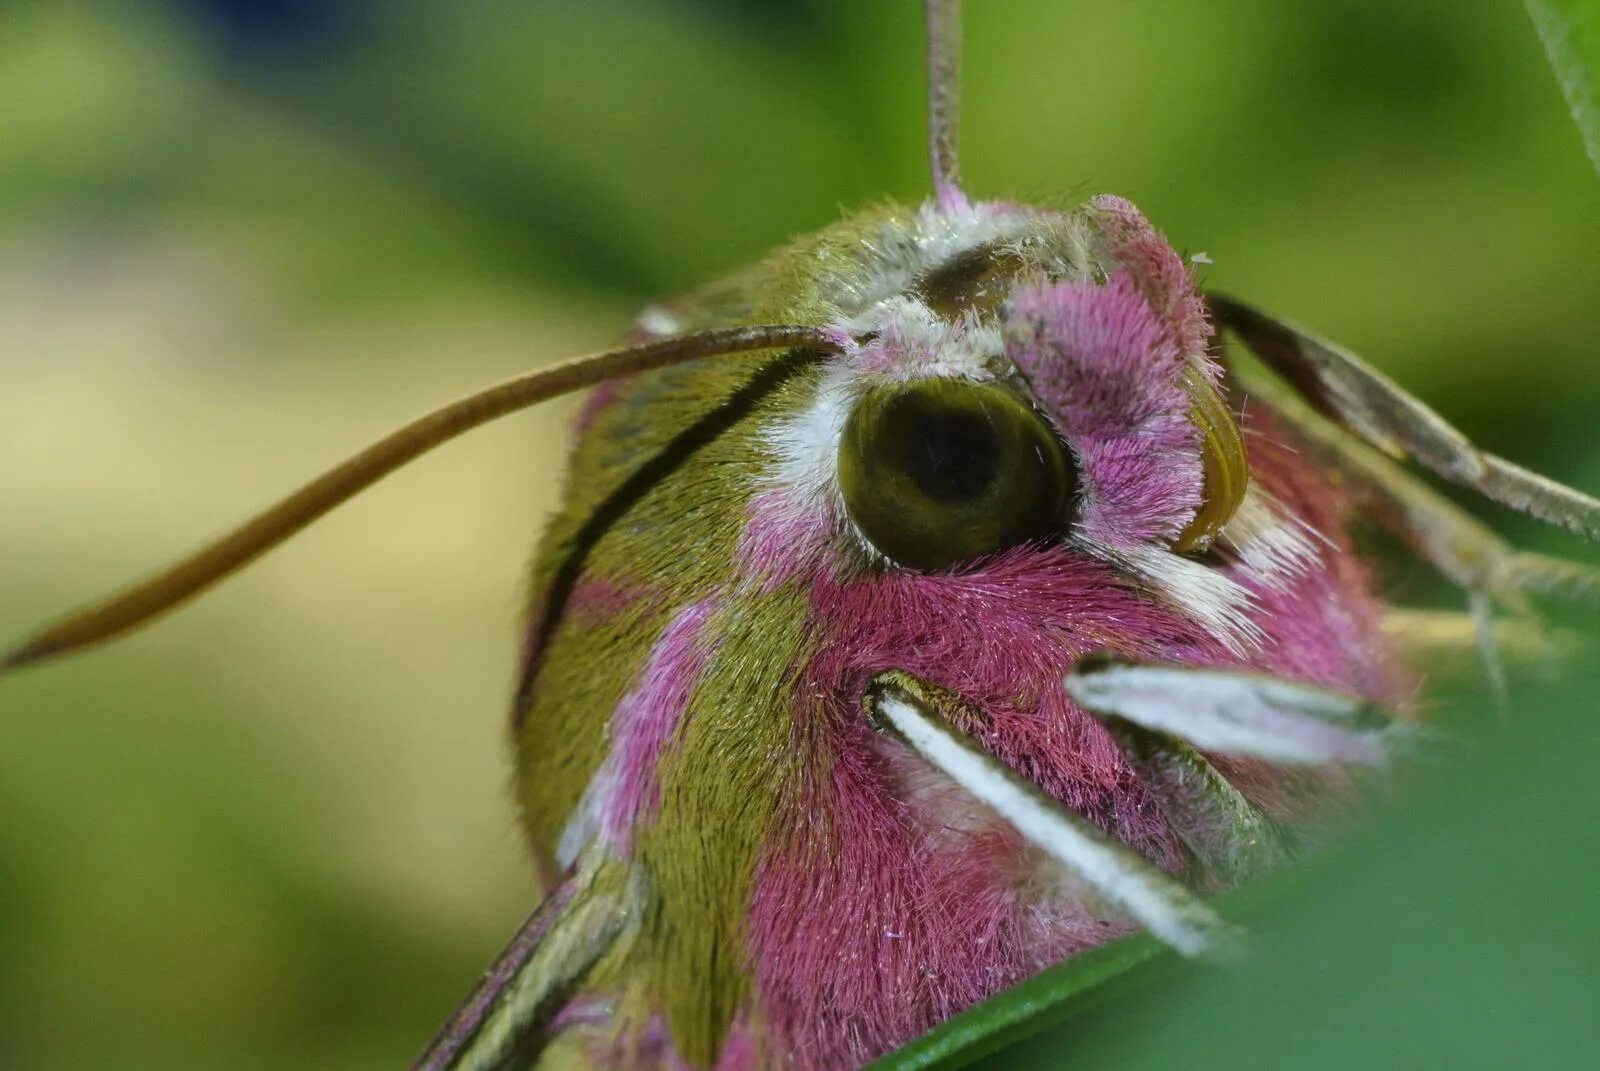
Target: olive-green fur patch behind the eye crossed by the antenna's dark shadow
[655, 508]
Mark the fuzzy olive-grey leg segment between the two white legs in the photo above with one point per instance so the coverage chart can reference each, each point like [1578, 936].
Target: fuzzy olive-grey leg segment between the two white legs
[1226, 835]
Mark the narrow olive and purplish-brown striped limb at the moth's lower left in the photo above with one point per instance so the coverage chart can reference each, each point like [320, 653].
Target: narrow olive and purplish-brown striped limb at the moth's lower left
[505, 1022]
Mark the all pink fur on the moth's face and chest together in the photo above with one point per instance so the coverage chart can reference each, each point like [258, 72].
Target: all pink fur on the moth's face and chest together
[938, 902]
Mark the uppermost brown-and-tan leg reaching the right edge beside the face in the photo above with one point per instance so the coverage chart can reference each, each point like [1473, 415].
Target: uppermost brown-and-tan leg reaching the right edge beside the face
[1362, 399]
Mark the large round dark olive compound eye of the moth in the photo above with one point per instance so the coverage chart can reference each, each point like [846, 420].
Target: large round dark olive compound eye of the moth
[940, 471]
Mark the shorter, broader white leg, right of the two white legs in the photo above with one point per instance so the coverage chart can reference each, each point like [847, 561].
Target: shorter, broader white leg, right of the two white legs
[1241, 713]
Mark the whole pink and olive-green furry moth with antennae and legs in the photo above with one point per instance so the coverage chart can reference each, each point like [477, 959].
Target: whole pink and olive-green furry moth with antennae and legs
[929, 606]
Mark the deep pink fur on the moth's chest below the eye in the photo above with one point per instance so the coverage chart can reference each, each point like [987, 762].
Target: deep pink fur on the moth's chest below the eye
[940, 904]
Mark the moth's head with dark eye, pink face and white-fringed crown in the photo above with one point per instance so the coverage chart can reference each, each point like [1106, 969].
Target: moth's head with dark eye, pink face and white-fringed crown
[1020, 393]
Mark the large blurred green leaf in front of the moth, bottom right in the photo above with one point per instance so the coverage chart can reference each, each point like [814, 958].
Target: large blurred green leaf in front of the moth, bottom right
[1454, 929]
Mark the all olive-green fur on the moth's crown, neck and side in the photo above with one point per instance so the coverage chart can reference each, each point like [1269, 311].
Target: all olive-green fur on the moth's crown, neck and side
[657, 500]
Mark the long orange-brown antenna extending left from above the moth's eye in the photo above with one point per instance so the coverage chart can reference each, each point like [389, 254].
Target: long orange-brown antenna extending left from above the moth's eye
[266, 531]
